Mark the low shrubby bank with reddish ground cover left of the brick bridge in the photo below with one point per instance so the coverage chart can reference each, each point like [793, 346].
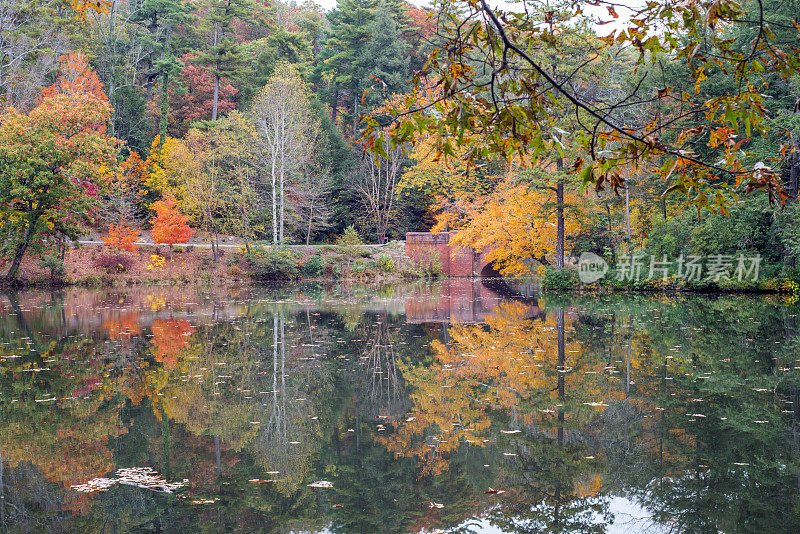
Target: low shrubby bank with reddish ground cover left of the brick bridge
[348, 259]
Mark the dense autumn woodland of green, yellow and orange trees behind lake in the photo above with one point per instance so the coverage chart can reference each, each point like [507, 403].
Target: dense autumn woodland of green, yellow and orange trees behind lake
[251, 116]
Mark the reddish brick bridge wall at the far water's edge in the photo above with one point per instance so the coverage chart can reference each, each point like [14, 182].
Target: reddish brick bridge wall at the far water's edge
[456, 261]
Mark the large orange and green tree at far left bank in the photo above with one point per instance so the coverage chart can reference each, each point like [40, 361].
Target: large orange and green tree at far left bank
[54, 161]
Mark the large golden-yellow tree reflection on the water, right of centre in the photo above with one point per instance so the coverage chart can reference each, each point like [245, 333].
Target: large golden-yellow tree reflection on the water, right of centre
[512, 364]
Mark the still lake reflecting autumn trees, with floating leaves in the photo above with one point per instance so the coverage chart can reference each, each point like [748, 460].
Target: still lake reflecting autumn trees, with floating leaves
[452, 407]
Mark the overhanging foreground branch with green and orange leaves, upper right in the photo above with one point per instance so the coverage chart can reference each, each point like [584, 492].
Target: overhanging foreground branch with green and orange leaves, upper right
[521, 81]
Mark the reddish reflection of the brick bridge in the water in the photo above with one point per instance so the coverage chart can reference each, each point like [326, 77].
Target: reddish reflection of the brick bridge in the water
[460, 301]
